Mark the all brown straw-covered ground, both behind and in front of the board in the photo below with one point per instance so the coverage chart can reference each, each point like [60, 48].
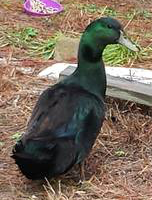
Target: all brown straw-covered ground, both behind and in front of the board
[120, 165]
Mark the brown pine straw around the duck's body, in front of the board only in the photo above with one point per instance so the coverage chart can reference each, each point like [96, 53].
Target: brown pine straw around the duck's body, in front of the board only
[119, 167]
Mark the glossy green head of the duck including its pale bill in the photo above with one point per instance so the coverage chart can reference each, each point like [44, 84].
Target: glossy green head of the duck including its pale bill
[102, 32]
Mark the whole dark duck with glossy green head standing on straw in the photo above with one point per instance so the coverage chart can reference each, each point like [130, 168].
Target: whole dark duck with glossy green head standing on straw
[68, 116]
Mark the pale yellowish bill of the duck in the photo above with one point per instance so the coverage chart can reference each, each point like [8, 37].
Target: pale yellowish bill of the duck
[126, 42]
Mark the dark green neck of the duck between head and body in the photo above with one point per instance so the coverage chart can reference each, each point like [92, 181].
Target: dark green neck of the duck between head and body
[91, 71]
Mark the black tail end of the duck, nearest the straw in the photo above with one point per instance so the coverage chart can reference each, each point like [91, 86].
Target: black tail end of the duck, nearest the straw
[38, 160]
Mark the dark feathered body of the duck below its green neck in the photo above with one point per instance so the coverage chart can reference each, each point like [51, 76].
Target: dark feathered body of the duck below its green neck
[62, 129]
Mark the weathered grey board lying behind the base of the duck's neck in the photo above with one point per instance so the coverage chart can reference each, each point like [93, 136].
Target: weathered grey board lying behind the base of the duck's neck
[122, 88]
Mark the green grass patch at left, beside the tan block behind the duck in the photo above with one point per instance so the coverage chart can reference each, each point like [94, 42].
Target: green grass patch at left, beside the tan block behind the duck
[29, 40]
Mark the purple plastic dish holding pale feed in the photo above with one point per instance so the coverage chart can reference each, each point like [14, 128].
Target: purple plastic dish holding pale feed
[48, 3]
